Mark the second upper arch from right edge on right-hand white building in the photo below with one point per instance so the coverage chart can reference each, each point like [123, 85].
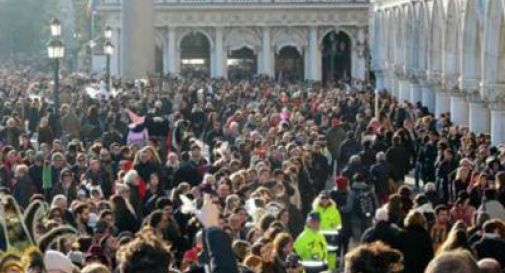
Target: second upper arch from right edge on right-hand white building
[471, 47]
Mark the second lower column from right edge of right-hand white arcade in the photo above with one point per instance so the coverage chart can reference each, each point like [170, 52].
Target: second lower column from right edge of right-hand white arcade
[478, 114]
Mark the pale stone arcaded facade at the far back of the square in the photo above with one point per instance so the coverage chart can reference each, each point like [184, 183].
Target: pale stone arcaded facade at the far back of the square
[263, 29]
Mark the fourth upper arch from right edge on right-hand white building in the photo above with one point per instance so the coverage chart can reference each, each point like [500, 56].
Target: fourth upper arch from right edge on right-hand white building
[436, 39]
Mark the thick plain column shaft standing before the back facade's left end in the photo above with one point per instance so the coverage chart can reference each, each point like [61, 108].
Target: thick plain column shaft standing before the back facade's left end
[137, 39]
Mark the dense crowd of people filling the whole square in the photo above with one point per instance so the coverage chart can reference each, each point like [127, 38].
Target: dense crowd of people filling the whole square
[173, 174]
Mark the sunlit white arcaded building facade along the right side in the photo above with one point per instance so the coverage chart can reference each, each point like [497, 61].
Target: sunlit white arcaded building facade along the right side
[448, 54]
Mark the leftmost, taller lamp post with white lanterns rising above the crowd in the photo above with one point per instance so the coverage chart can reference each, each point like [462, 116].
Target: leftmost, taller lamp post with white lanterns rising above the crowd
[56, 52]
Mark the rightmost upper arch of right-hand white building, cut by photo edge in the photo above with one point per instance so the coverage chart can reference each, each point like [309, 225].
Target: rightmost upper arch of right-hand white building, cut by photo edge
[494, 42]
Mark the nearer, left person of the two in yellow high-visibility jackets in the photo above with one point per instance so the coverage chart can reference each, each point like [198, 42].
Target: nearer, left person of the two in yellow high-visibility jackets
[311, 244]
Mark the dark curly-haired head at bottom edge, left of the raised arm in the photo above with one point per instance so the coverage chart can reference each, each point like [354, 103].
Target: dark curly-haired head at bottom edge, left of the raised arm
[145, 254]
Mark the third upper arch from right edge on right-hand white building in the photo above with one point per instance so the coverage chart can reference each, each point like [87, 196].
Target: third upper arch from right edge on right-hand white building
[451, 42]
